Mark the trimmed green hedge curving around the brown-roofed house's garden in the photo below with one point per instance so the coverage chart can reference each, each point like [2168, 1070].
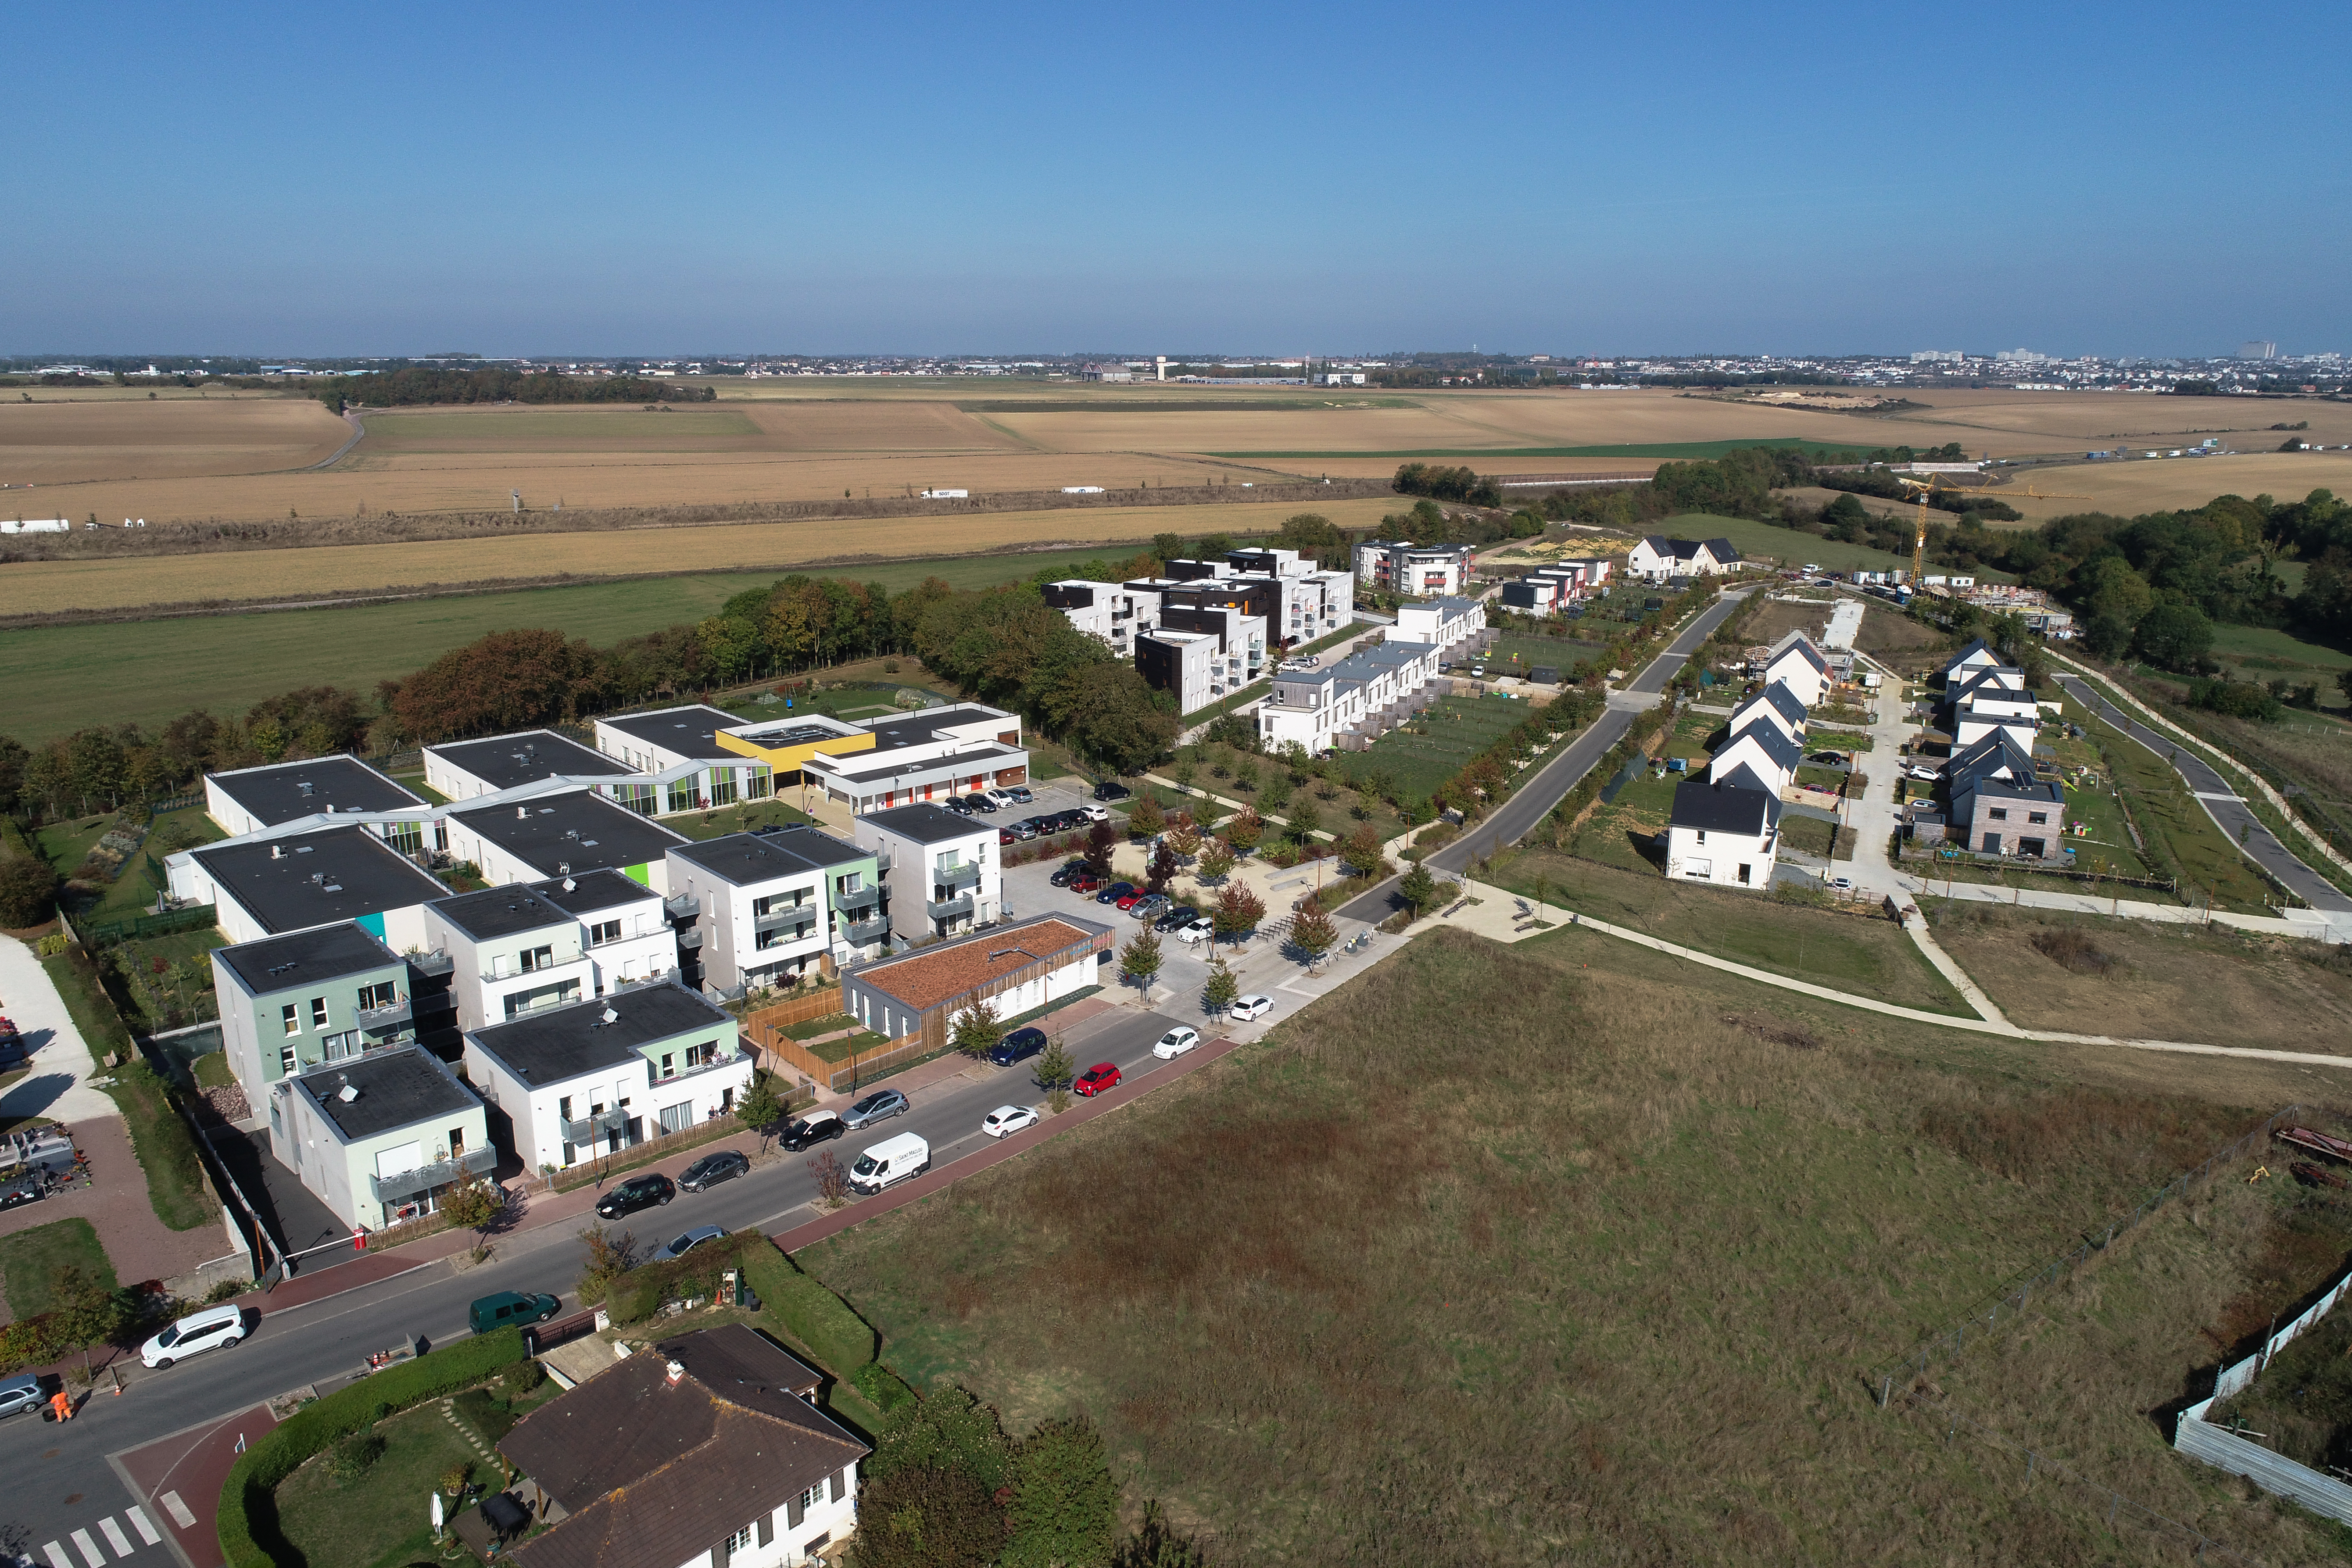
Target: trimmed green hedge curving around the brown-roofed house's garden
[248, 1499]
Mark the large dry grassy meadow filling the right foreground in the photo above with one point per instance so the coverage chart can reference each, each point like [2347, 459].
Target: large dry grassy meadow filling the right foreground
[1617, 1238]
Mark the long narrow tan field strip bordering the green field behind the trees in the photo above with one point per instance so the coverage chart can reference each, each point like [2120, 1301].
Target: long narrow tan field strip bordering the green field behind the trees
[749, 547]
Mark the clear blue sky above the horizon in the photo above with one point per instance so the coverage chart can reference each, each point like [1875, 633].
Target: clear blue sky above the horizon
[1215, 177]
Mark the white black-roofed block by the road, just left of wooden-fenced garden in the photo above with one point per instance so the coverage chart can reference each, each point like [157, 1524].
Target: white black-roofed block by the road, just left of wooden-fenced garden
[601, 1076]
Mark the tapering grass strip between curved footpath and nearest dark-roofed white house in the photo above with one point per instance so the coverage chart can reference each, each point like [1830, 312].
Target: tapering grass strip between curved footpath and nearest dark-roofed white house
[1847, 951]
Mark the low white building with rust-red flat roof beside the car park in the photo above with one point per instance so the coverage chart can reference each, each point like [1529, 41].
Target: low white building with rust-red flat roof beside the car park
[1015, 970]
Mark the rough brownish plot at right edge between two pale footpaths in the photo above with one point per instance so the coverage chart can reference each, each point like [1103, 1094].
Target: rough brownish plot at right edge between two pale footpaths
[2146, 981]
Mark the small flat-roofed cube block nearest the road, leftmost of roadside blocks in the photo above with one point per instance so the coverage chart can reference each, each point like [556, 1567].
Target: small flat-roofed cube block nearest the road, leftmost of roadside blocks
[382, 1137]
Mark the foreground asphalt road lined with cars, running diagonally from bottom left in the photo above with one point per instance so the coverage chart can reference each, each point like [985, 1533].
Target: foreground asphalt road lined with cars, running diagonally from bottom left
[67, 1482]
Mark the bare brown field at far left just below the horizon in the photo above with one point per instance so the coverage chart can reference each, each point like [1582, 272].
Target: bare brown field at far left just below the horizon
[65, 443]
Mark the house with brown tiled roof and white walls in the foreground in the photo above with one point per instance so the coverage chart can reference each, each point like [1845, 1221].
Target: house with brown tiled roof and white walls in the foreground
[702, 1452]
